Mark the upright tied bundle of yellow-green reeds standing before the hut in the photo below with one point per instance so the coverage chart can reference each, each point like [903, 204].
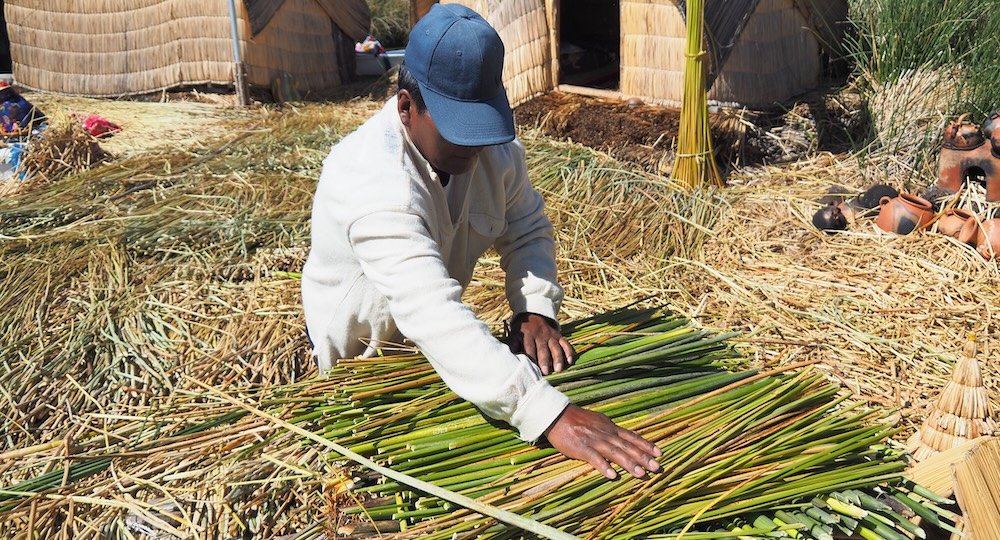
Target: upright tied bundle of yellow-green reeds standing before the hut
[695, 163]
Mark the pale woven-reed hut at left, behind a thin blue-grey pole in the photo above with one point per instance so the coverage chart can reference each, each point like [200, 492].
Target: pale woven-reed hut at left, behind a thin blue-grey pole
[123, 47]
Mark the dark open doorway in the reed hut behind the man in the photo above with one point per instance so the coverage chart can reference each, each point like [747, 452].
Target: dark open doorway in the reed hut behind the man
[589, 37]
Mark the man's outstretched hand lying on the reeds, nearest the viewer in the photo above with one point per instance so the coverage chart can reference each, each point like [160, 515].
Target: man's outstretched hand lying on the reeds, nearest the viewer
[592, 437]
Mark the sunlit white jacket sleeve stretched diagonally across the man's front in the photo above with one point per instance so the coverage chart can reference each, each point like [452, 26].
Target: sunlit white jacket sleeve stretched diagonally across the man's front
[398, 254]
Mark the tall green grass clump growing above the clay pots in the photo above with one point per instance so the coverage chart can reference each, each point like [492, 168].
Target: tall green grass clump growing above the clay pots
[919, 63]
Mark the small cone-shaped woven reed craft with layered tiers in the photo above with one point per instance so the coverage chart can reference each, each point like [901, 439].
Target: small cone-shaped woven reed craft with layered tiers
[961, 412]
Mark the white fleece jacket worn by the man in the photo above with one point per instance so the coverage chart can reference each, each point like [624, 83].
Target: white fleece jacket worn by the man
[393, 250]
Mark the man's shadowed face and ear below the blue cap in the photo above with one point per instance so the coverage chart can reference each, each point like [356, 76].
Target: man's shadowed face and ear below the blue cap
[441, 154]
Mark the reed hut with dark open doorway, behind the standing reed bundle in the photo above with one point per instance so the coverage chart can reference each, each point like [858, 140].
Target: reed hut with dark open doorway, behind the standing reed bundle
[762, 51]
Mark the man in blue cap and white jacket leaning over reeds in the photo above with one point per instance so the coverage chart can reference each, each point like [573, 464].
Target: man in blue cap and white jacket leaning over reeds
[405, 206]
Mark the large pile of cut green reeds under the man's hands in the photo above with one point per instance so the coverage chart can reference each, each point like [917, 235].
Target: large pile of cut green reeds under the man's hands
[742, 452]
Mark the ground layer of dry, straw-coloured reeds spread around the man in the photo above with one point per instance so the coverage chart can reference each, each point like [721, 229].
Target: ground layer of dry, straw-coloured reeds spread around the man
[886, 315]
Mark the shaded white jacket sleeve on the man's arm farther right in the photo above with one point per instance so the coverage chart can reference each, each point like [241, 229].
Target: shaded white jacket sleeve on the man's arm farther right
[527, 249]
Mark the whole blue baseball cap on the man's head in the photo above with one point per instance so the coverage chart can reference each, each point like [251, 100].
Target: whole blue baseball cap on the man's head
[457, 59]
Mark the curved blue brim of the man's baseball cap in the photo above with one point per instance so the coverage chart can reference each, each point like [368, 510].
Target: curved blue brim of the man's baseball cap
[471, 123]
